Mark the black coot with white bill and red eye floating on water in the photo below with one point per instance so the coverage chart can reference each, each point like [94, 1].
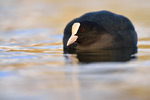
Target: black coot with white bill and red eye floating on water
[98, 31]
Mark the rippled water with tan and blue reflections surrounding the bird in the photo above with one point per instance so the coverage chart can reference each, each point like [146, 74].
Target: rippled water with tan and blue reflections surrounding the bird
[33, 66]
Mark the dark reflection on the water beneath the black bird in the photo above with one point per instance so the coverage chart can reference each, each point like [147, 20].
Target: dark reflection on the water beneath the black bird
[109, 55]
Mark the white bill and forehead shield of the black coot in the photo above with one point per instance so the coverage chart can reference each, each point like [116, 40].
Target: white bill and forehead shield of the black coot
[73, 37]
